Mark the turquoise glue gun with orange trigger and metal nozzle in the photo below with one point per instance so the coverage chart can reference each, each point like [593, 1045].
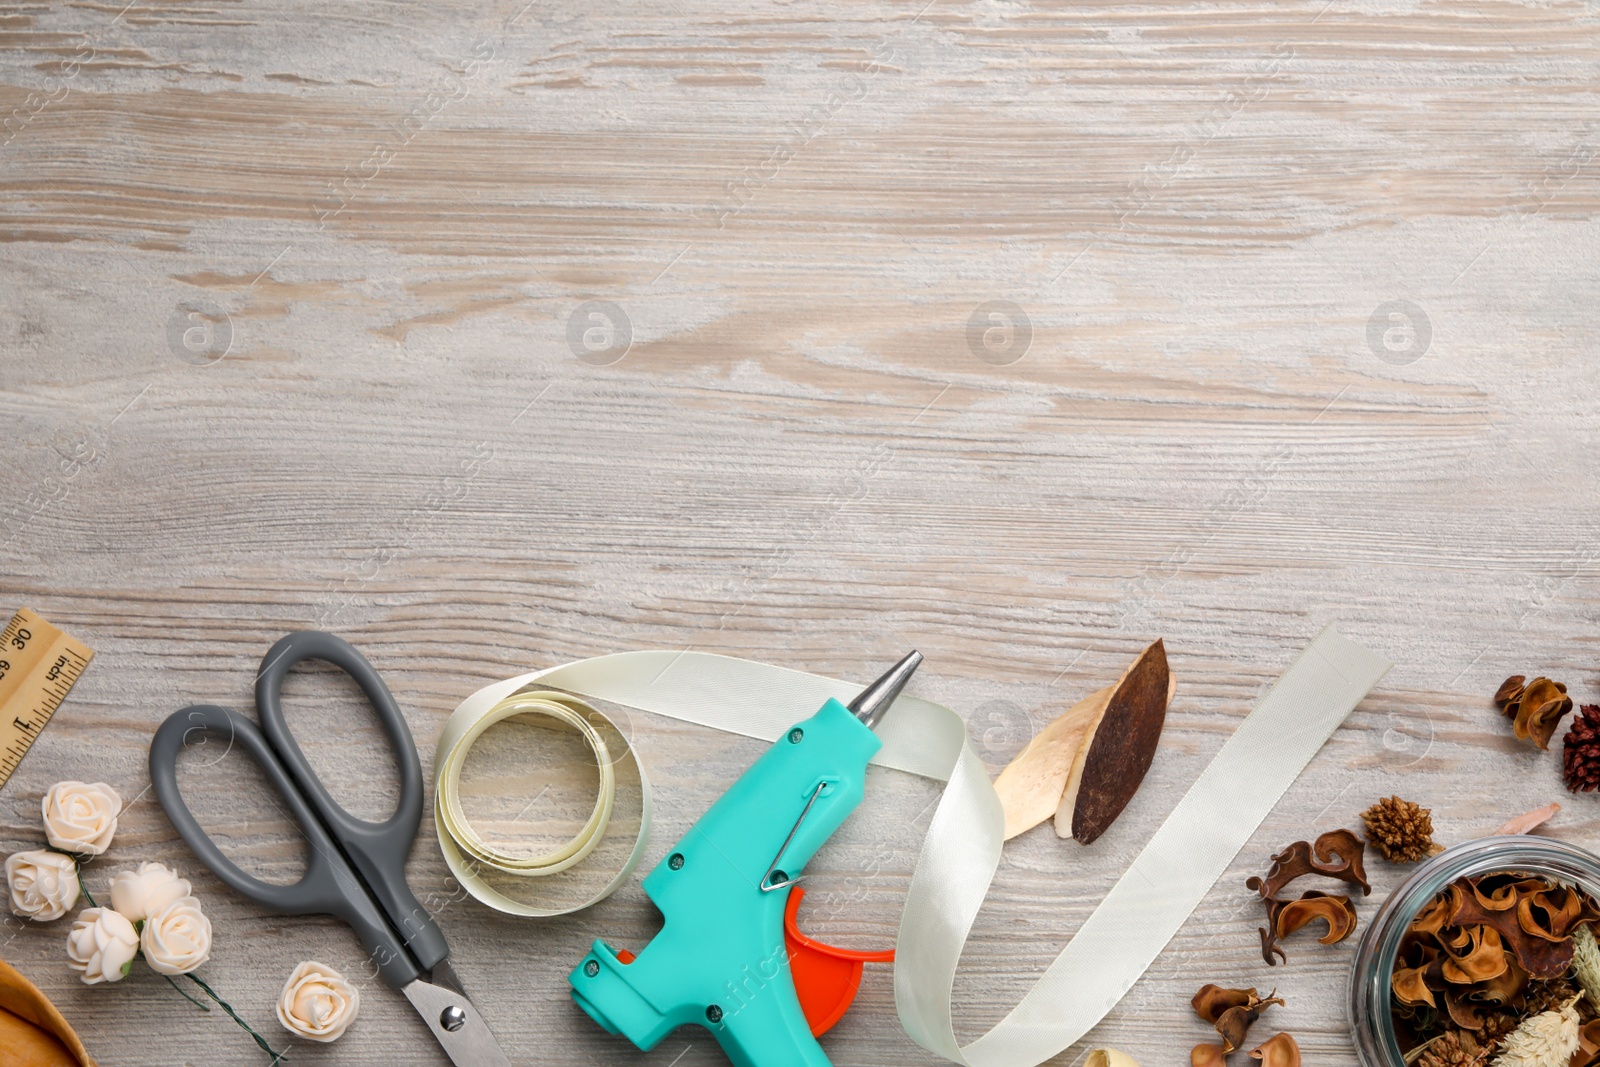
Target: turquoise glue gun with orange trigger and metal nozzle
[729, 956]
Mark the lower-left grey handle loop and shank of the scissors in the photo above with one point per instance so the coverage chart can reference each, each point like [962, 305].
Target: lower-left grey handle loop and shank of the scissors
[329, 885]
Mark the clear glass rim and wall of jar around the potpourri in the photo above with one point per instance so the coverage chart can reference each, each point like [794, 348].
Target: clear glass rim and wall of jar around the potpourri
[1372, 1025]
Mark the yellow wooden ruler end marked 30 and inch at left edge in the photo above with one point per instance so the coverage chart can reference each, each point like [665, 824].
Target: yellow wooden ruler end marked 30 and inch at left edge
[39, 665]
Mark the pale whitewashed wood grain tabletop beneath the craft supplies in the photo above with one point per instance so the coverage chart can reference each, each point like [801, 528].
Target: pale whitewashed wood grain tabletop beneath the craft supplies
[396, 215]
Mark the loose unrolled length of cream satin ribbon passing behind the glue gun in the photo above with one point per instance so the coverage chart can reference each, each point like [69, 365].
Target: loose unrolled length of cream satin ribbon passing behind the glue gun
[962, 847]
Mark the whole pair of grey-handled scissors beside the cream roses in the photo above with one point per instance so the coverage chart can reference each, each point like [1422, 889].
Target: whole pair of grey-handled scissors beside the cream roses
[356, 868]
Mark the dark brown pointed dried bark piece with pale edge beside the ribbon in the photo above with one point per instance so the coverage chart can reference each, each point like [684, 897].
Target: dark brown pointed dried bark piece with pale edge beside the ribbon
[1119, 749]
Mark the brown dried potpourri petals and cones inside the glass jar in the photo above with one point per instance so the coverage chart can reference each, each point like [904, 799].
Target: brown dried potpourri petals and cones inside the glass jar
[1494, 972]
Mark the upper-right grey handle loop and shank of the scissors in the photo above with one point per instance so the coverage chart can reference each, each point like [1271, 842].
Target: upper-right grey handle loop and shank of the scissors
[378, 850]
